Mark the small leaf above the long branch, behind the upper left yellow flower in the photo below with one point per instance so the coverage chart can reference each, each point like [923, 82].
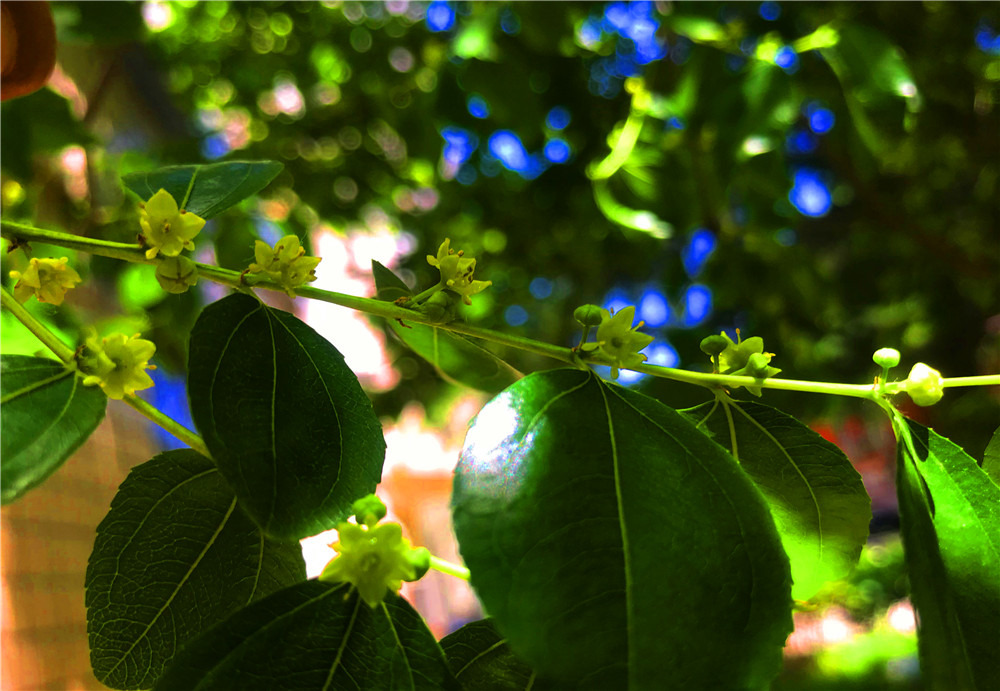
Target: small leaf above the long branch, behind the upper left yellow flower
[208, 189]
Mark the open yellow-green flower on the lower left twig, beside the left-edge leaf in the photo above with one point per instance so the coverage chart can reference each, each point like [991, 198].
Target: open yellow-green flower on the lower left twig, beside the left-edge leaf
[117, 364]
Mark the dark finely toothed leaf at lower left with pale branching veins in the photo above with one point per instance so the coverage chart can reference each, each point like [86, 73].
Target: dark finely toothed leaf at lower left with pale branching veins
[172, 558]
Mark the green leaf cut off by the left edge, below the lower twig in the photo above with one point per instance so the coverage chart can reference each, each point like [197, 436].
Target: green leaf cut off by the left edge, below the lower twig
[46, 414]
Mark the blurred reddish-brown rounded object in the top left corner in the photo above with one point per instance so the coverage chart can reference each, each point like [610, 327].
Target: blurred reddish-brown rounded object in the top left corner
[27, 47]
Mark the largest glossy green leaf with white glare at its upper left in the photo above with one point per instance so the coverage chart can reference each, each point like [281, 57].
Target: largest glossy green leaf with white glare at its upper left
[614, 544]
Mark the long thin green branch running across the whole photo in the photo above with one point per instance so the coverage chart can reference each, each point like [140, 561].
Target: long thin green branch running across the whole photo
[390, 310]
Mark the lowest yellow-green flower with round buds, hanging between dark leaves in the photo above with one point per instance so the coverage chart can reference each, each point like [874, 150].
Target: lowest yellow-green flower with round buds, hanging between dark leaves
[374, 557]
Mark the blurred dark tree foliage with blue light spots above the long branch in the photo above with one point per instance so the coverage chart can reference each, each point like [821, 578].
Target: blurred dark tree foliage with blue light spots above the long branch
[824, 175]
